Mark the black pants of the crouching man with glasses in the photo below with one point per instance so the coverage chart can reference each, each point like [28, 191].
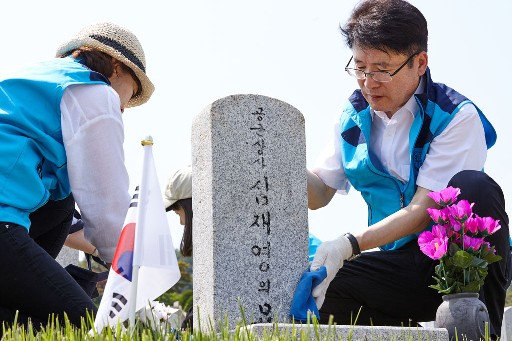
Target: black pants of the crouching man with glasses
[391, 287]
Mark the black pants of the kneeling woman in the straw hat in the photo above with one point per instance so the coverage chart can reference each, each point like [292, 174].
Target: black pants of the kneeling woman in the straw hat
[32, 282]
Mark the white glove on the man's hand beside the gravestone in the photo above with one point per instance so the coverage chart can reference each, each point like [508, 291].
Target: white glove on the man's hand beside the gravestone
[332, 254]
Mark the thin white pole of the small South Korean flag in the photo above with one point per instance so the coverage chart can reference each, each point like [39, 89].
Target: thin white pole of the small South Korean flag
[147, 143]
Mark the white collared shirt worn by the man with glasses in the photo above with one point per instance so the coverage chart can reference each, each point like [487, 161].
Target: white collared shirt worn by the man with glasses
[460, 146]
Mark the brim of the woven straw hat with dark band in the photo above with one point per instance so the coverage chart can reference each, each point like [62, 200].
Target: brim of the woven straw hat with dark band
[146, 84]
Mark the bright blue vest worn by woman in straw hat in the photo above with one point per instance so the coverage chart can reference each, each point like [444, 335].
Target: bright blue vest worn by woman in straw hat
[33, 159]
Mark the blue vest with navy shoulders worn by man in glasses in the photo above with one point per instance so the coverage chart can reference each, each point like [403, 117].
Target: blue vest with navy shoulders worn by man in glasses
[383, 193]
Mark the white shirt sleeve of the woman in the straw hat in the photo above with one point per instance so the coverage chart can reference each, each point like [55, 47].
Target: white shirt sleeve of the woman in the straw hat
[93, 134]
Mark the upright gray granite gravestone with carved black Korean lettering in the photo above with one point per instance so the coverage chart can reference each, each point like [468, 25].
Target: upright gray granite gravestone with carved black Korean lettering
[249, 194]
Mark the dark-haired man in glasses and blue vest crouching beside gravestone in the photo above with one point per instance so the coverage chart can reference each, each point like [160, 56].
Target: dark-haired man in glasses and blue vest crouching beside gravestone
[399, 137]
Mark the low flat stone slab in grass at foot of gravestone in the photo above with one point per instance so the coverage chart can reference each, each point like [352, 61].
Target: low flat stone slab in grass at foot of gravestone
[343, 332]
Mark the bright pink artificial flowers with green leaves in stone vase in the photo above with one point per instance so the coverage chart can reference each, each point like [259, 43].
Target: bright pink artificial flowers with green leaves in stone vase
[458, 242]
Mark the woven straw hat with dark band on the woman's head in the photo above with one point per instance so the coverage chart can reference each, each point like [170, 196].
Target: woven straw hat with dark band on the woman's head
[119, 43]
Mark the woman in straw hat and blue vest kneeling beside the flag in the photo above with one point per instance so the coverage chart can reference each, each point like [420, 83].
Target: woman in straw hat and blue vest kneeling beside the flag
[62, 132]
